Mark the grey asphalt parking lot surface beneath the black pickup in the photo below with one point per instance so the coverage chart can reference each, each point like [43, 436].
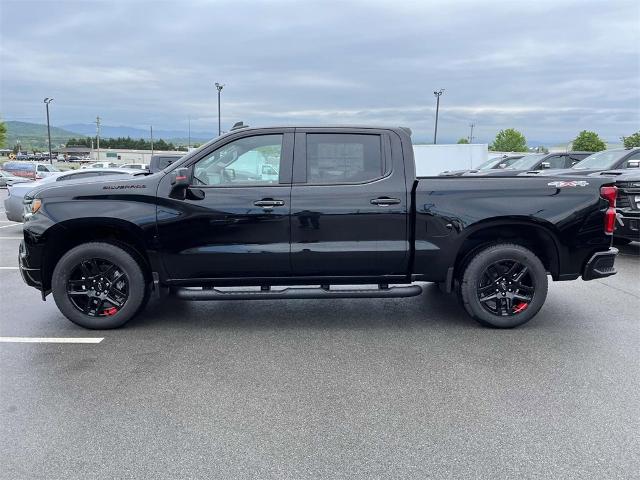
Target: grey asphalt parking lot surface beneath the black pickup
[397, 388]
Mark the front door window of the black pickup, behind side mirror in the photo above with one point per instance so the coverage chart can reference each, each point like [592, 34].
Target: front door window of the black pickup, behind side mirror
[246, 161]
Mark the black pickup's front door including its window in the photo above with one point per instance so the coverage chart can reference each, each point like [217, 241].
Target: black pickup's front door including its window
[235, 219]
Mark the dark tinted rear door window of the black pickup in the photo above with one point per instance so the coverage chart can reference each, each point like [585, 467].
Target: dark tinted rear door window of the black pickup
[343, 158]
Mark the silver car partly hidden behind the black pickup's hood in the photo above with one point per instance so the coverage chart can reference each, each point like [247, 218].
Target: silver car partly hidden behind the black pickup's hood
[13, 204]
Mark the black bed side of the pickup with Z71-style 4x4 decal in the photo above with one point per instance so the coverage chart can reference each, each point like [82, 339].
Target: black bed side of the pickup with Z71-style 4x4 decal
[450, 209]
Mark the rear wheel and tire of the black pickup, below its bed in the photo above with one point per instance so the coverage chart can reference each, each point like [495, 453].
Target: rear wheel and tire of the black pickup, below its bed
[493, 272]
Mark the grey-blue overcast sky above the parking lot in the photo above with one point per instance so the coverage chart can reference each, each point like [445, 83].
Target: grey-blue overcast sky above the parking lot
[548, 68]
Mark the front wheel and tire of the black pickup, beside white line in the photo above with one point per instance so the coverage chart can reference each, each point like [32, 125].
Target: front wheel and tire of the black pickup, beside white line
[74, 286]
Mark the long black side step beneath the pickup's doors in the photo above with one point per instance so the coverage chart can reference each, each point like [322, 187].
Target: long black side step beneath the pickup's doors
[297, 293]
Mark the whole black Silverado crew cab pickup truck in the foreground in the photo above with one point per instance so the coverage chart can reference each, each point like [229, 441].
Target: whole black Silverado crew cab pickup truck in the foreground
[315, 210]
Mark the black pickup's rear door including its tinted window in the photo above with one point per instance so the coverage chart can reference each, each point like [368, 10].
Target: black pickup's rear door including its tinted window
[349, 205]
